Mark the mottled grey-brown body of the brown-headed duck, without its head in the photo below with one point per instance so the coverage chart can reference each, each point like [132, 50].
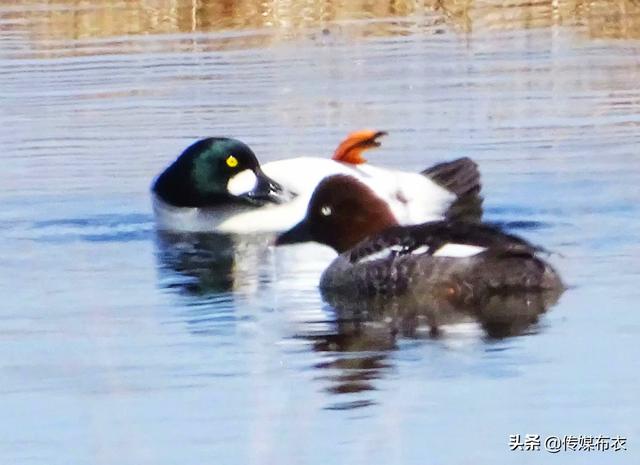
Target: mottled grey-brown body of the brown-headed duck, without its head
[461, 259]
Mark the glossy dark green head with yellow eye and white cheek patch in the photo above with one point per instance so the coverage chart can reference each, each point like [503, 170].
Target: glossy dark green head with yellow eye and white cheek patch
[214, 171]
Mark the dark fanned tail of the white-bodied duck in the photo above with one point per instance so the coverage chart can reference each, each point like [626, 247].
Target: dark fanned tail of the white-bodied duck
[461, 177]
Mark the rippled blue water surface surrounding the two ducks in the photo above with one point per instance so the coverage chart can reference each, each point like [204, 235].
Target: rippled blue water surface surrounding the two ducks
[121, 344]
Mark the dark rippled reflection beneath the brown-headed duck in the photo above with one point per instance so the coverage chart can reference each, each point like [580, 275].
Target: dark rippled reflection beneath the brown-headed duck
[367, 331]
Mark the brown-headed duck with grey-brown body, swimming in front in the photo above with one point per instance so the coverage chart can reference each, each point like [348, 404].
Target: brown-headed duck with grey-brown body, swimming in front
[379, 256]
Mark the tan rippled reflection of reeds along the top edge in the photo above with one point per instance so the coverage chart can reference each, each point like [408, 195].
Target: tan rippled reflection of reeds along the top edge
[51, 20]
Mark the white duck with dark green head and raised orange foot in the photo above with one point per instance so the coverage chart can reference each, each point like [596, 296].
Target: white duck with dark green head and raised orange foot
[218, 185]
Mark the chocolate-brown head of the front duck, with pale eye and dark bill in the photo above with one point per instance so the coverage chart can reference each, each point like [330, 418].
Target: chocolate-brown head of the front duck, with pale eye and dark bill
[342, 211]
